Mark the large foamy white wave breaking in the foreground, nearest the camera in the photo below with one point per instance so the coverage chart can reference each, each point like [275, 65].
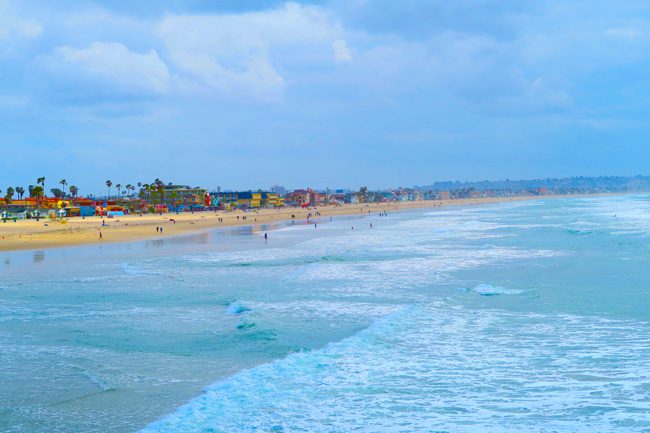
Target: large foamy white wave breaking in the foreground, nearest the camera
[442, 367]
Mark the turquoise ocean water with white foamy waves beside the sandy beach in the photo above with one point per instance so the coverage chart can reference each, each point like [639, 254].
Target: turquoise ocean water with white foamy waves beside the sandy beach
[530, 316]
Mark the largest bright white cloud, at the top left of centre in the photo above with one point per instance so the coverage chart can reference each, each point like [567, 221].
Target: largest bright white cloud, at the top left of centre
[246, 54]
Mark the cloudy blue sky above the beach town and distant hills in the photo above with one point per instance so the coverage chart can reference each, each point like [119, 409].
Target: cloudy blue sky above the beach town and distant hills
[332, 93]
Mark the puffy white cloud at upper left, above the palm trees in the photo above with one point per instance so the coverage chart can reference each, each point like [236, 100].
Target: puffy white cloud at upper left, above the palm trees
[107, 68]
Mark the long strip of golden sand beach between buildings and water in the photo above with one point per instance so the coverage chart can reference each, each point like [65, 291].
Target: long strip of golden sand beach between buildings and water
[69, 232]
